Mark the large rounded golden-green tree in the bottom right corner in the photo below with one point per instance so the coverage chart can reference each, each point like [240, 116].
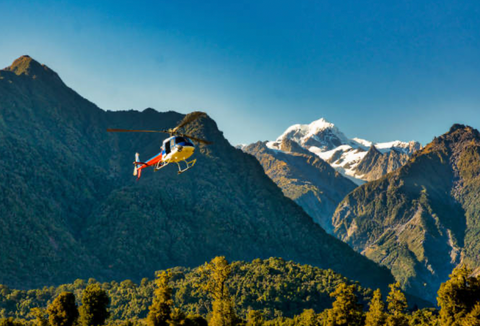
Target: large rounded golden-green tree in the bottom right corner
[458, 296]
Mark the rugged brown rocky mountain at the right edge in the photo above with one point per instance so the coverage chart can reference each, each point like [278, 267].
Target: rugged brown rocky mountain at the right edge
[423, 219]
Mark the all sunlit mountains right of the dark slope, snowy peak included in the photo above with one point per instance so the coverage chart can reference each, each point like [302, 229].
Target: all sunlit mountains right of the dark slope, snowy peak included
[419, 214]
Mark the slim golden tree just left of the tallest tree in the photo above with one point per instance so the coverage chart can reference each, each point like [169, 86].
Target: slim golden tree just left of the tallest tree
[161, 308]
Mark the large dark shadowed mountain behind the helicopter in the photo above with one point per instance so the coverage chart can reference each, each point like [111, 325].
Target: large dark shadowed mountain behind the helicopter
[70, 207]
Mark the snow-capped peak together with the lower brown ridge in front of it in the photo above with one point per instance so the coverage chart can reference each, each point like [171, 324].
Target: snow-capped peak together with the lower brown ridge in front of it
[317, 165]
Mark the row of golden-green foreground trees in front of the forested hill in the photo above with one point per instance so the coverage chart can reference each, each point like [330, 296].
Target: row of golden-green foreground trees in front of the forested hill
[458, 300]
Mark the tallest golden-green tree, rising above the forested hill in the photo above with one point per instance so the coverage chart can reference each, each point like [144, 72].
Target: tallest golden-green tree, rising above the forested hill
[217, 272]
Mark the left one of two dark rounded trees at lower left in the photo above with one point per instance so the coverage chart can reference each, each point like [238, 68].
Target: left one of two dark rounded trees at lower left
[63, 310]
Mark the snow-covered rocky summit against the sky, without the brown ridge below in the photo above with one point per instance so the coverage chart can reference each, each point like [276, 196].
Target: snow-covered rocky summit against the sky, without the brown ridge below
[349, 156]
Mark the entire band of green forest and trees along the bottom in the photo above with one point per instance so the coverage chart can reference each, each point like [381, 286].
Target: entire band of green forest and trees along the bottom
[263, 292]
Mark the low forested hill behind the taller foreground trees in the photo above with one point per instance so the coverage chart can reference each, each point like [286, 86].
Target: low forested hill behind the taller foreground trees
[273, 286]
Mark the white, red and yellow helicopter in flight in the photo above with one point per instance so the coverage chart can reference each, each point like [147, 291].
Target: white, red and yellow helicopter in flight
[175, 149]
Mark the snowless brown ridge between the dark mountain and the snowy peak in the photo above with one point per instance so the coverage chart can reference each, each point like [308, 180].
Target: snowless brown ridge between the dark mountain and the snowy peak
[304, 177]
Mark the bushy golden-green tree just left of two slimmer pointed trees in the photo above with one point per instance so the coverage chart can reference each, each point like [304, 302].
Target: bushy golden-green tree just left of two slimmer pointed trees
[345, 309]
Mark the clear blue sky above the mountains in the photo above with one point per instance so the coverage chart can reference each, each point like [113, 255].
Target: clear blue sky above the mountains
[380, 70]
